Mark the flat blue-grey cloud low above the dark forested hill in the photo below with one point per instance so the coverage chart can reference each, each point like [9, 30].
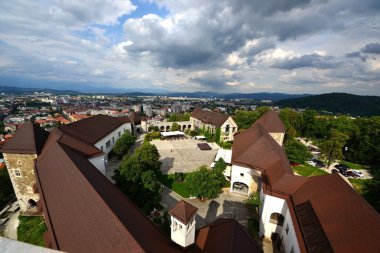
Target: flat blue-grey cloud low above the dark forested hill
[307, 61]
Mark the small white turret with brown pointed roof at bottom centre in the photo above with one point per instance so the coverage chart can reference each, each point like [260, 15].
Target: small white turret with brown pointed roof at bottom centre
[183, 223]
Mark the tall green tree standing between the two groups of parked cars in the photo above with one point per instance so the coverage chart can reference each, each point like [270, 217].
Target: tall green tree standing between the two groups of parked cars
[331, 148]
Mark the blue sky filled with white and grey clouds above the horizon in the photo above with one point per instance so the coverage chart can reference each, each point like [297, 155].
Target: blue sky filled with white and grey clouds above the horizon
[291, 46]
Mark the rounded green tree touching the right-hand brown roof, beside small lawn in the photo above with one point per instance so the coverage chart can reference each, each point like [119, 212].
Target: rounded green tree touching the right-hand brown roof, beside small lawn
[296, 151]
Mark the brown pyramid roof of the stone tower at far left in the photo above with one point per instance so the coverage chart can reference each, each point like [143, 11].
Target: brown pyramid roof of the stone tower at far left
[28, 139]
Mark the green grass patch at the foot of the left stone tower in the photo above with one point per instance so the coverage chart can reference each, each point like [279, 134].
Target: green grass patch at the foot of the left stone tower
[31, 230]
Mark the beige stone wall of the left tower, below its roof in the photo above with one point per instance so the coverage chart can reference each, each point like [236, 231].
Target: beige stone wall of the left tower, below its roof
[22, 183]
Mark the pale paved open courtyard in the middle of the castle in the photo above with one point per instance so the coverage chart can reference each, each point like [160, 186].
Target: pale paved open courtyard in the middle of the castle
[183, 155]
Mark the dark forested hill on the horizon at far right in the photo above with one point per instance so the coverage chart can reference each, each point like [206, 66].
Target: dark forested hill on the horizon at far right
[336, 103]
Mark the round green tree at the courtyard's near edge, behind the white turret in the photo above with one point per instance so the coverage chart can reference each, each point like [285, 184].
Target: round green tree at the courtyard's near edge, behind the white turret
[204, 183]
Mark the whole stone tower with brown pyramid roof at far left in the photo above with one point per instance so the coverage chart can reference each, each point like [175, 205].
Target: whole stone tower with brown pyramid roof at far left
[19, 155]
